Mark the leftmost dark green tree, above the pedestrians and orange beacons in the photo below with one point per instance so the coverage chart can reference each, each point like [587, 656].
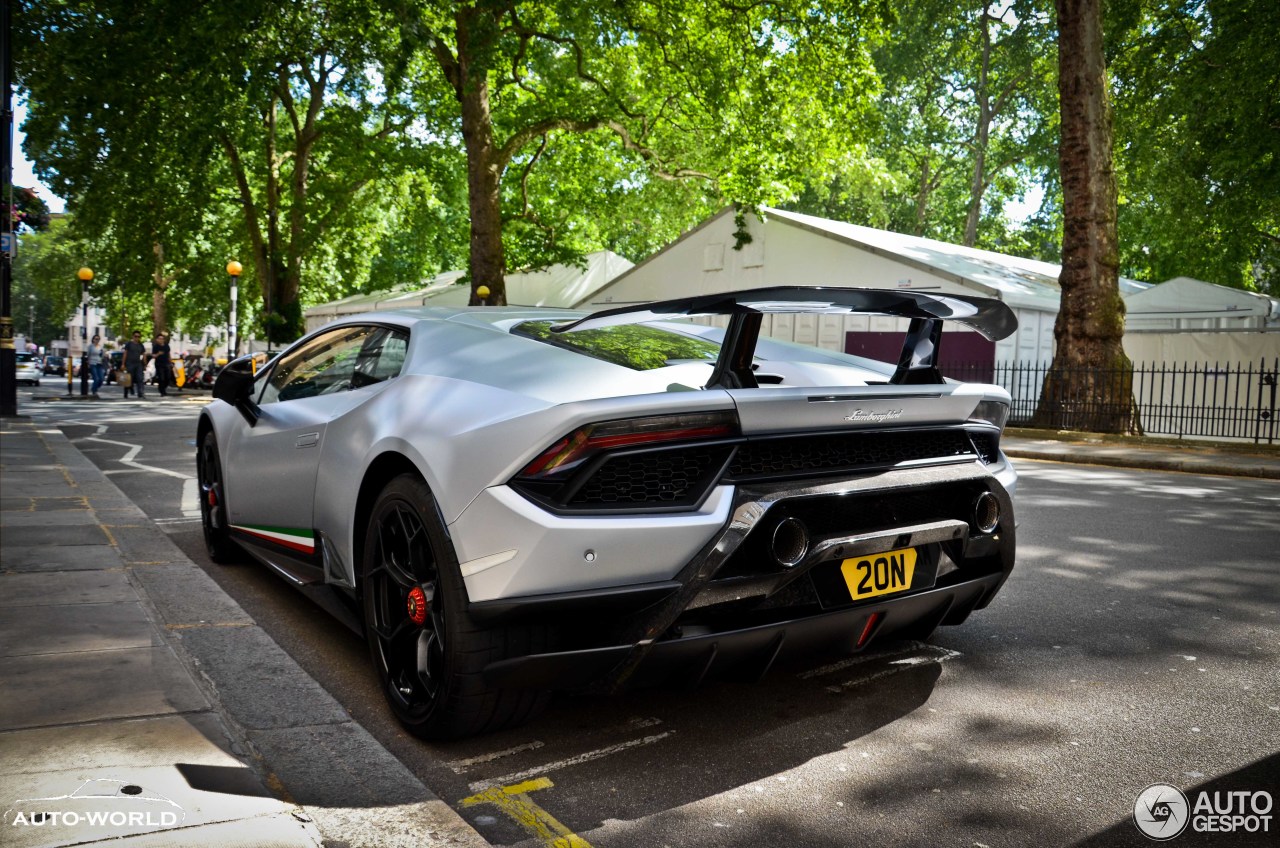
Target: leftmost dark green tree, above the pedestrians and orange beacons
[134, 170]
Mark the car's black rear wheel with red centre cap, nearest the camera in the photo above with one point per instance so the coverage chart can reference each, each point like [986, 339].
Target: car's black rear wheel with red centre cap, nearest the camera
[428, 654]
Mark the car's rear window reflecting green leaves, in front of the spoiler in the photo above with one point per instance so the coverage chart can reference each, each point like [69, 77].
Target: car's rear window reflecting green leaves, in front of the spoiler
[636, 347]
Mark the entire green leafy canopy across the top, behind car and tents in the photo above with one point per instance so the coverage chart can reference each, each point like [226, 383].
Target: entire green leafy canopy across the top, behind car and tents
[323, 143]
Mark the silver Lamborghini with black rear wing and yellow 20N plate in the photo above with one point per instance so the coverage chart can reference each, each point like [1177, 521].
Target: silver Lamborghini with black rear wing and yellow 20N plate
[514, 501]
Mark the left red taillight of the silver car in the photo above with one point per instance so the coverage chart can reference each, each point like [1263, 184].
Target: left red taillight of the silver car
[632, 432]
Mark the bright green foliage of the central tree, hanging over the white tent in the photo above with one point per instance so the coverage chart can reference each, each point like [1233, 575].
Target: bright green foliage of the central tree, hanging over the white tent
[620, 126]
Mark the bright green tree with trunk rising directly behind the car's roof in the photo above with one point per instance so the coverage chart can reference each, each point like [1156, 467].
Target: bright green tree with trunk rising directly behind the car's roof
[737, 98]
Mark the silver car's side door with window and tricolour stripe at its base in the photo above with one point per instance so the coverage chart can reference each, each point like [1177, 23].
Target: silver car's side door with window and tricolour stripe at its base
[273, 494]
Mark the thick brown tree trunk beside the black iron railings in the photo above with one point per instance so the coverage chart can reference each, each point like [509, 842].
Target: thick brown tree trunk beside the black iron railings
[1090, 384]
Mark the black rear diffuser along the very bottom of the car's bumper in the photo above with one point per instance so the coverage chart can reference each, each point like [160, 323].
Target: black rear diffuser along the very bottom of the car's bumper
[747, 654]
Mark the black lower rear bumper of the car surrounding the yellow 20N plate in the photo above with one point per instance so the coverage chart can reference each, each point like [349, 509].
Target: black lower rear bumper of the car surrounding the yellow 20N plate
[749, 617]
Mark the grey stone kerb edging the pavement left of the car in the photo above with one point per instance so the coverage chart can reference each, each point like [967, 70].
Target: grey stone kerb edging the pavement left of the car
[305, 747]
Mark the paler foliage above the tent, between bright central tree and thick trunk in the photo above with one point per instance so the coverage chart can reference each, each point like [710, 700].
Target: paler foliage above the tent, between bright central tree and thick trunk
[967, 117]
